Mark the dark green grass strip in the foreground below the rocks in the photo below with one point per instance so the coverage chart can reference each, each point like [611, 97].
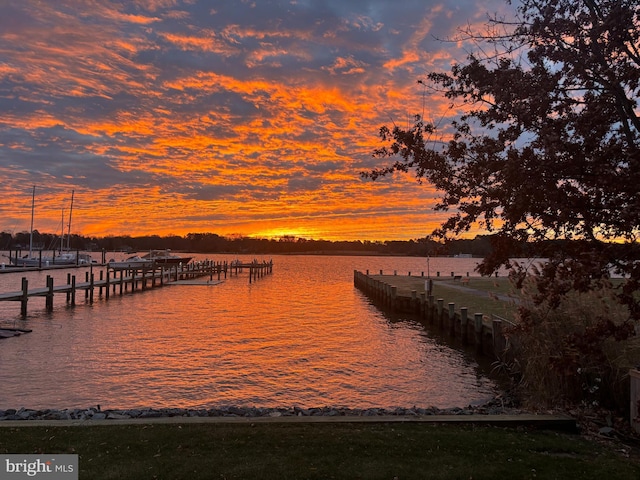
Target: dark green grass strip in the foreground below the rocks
[321, 451]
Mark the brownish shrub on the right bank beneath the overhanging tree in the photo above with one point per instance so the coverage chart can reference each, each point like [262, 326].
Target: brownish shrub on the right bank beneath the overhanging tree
[571, 347]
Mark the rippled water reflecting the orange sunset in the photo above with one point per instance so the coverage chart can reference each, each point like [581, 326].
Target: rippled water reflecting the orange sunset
[303, 336]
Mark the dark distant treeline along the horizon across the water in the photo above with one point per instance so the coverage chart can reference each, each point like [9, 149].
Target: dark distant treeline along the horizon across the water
[479, 246]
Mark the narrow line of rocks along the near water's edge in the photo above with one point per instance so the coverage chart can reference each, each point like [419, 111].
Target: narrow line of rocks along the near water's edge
[96, 413]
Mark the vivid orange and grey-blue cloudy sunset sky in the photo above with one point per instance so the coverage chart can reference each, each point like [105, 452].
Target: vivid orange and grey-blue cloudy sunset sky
[230, 117]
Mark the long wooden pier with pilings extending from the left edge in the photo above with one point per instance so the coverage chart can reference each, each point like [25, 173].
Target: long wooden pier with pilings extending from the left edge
[136, 279]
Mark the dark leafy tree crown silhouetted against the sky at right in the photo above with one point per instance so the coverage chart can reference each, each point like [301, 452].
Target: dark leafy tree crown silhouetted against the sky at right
[549, 142]
